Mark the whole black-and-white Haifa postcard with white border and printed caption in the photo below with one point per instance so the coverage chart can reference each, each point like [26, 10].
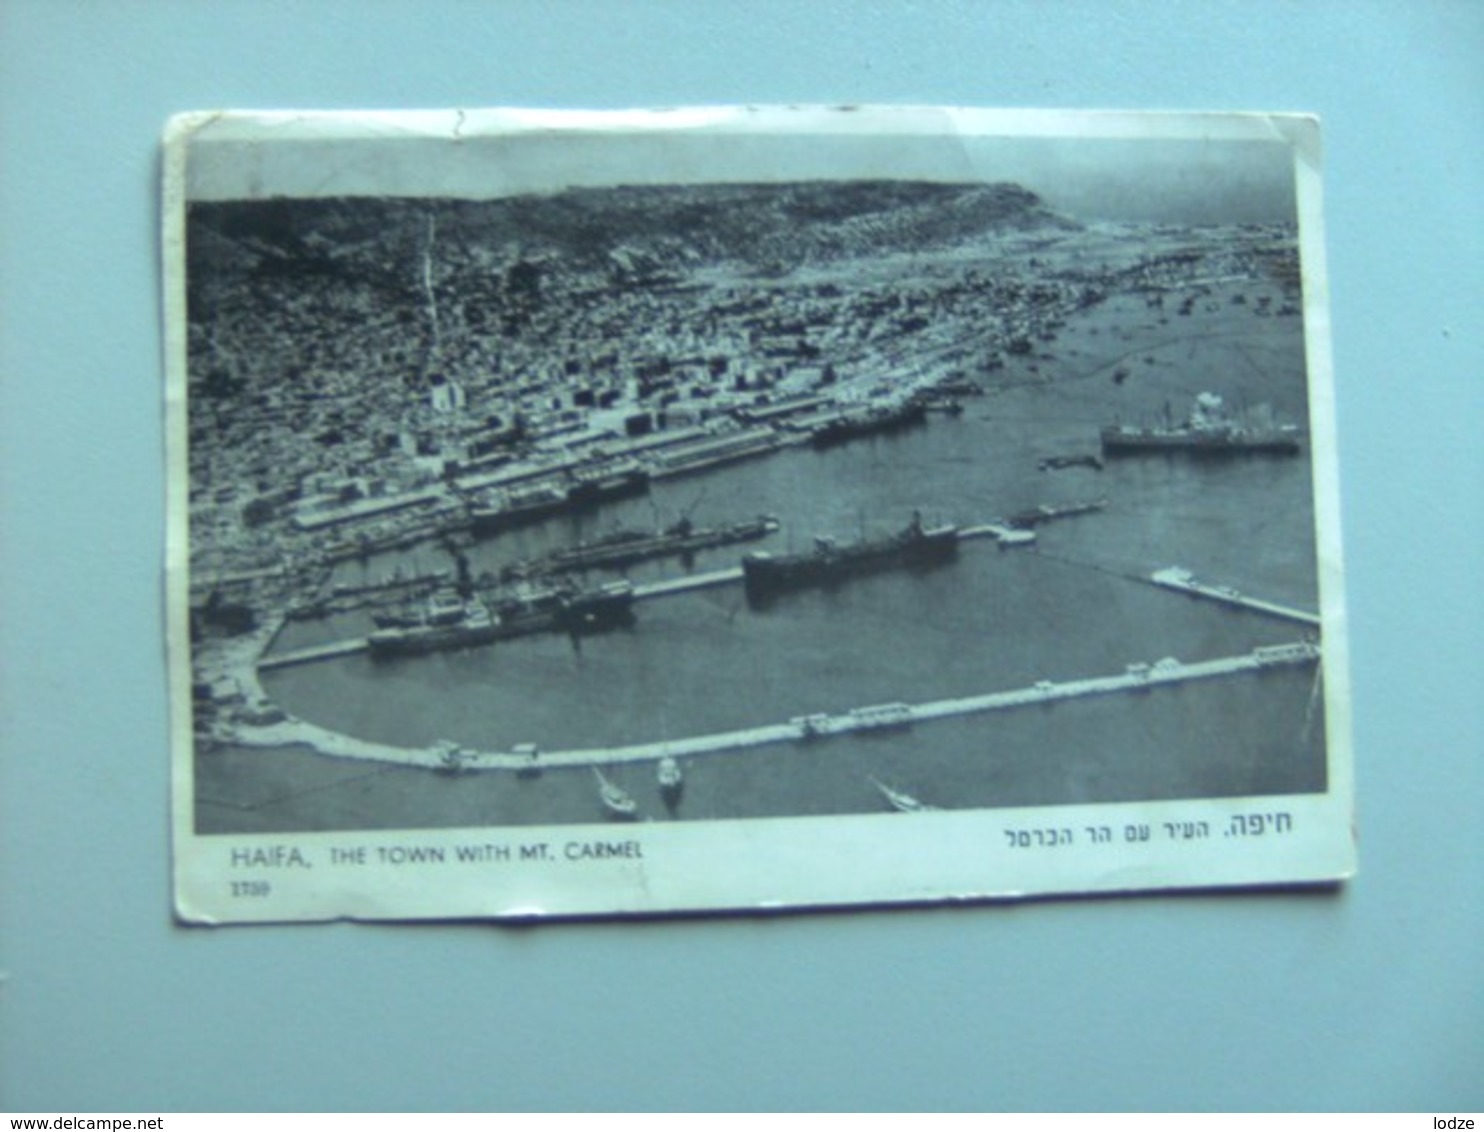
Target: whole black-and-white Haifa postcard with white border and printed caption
[718, 510]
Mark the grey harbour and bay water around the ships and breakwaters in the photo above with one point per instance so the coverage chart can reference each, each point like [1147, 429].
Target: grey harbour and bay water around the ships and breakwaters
[1075, 605]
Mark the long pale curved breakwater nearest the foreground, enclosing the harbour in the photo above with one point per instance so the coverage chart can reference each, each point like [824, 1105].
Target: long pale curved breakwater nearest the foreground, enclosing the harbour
[810, 729]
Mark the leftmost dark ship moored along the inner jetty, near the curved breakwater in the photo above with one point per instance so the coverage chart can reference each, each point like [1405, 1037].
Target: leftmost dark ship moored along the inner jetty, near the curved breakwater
[479, 622]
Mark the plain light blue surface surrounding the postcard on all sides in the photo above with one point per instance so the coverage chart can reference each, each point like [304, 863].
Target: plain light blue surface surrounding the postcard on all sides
[1368, 999]
